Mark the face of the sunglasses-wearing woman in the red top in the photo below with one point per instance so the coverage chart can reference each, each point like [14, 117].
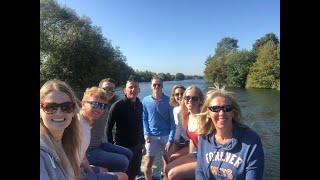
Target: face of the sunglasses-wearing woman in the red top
[192, 100]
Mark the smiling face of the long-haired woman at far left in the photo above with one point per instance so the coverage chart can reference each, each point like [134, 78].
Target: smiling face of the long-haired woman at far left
[59, 120]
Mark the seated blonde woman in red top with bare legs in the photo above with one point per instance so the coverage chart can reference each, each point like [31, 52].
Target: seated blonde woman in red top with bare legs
[184, 166]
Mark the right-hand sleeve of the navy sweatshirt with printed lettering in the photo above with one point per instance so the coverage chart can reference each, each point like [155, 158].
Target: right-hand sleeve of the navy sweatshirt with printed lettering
[255, 167]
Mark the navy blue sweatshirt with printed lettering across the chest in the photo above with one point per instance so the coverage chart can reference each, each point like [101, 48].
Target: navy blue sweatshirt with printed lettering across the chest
[241, 158]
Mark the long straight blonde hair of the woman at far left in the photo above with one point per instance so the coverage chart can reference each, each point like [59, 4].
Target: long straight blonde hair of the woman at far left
[71, 138]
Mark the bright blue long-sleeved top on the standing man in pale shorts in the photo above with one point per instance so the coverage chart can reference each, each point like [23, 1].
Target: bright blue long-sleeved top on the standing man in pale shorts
[158, 117]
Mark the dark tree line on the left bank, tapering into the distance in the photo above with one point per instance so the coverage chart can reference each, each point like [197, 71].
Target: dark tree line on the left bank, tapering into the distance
[75, 51]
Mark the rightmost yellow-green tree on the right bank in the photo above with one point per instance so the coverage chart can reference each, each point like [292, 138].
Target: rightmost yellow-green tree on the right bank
[265, 72]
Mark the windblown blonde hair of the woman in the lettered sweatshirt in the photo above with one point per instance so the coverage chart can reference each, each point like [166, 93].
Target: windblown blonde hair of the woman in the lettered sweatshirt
[206, 125]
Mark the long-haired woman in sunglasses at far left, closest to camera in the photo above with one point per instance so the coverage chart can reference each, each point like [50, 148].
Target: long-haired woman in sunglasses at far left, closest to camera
[59, 132]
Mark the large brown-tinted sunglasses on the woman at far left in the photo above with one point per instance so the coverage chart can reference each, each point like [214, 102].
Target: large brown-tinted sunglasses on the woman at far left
[51, 108]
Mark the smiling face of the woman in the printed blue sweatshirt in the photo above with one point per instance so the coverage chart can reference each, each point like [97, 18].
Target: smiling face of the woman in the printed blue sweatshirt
[221, 120]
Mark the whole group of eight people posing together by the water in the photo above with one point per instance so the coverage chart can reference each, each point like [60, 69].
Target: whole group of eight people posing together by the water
[105, 137]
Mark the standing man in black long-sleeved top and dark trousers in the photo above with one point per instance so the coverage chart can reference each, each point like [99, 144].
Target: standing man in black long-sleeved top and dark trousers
[126, 114]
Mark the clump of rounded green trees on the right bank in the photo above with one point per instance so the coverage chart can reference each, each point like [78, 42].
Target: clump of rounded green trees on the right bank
[258, 68]
